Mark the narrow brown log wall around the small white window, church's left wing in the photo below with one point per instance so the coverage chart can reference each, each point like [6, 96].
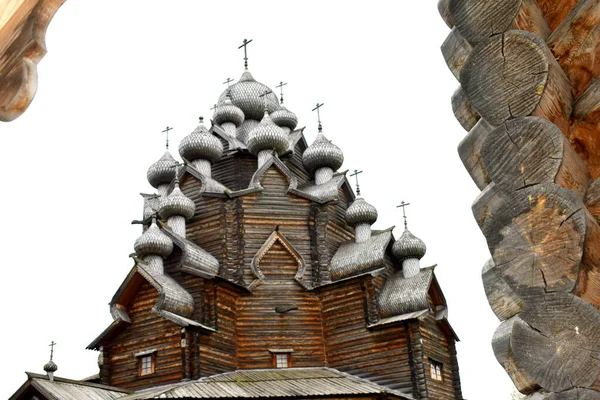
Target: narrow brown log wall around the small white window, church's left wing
[147, 331]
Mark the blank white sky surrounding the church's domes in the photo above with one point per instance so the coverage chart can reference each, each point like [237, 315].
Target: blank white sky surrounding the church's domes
[118, 72]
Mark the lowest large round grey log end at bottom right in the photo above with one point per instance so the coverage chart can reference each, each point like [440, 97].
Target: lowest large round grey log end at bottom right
[552, 343]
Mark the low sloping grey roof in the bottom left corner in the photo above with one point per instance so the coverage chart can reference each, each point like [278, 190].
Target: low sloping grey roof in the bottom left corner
[67, 389]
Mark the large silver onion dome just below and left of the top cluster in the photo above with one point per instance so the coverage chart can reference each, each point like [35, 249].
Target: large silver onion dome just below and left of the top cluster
[201, 149]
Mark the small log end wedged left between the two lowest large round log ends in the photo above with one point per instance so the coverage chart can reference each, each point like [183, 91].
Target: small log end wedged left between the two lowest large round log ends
[504, 302]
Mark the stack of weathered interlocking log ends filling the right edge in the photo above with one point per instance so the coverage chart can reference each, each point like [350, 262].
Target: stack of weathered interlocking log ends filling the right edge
[529, 97]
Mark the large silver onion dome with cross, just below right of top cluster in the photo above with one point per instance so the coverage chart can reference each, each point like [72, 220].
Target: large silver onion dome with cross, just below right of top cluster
[322, 157]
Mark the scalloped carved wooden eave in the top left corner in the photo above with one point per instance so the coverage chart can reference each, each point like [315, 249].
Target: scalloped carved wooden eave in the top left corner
[23, 25]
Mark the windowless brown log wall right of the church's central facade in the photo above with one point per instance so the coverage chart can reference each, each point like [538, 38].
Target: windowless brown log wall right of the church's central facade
[380, 355]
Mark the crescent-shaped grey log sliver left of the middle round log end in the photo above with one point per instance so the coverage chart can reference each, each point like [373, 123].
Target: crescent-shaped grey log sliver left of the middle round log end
[469, 151]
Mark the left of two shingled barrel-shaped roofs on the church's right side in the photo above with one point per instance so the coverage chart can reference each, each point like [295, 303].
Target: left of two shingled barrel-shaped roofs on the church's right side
[353, 258]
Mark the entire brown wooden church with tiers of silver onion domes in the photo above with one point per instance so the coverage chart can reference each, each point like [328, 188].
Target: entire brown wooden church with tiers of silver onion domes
[258, 275]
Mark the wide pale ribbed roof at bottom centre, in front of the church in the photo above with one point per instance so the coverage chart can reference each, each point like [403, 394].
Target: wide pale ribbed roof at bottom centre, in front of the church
[269, 383]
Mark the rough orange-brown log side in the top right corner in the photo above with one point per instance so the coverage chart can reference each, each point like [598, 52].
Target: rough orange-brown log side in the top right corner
[576, 45]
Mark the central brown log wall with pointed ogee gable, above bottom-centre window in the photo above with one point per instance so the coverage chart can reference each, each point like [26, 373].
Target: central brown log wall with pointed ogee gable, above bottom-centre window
[260, 328]
